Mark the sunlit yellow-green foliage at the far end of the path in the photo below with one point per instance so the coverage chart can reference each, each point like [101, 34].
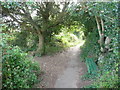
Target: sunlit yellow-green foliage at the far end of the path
[69, 36]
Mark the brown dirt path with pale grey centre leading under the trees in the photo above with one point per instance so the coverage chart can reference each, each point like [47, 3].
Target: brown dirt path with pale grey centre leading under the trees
[63, 70]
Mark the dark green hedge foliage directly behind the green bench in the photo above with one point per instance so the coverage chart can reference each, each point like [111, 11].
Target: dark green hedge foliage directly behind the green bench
[91, 46]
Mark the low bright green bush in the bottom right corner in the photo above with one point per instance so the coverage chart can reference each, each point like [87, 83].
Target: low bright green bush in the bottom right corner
[107, 80]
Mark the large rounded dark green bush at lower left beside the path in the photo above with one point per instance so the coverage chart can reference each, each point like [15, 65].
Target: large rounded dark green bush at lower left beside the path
[19, 71]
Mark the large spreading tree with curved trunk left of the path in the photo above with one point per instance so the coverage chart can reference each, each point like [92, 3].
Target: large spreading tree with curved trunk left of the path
[48, 15]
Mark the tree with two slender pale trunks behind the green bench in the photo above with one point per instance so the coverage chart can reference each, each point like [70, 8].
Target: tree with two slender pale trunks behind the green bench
[97, 15]
